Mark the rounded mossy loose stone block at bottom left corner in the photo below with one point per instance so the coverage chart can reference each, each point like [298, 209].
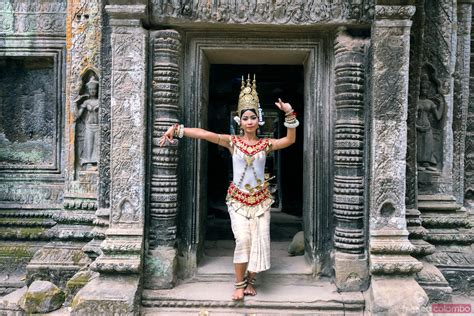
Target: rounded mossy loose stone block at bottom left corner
[42, 297]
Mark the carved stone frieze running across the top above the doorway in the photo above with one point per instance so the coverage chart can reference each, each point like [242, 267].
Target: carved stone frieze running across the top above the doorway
[288, 12]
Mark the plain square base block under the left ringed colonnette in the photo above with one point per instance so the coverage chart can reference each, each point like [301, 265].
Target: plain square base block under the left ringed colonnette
[160, 268]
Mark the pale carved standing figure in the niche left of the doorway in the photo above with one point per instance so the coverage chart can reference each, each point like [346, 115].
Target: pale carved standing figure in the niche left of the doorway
[87, 117]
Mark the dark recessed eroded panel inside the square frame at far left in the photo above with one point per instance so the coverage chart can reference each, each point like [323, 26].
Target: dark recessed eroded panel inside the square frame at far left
[28, 113]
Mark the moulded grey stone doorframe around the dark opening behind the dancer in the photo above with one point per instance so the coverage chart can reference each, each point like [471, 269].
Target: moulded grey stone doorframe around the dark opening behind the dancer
[313, 51]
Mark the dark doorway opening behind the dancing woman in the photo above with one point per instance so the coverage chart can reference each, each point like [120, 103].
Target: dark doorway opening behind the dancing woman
[273, 82]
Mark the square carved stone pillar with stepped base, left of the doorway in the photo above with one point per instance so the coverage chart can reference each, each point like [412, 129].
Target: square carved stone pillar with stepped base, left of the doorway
[116, 290]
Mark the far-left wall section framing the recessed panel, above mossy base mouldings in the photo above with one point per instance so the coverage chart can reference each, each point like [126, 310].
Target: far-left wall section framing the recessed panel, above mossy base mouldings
[32, 63]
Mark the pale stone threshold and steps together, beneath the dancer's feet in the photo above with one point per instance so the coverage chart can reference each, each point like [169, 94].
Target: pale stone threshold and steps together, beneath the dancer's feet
[289, 287]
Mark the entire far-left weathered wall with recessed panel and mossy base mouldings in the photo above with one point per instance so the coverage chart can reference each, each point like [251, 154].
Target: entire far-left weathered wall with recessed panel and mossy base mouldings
[32, 142]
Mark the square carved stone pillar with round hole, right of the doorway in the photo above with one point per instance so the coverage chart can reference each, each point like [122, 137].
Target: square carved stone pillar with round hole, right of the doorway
[393, 288]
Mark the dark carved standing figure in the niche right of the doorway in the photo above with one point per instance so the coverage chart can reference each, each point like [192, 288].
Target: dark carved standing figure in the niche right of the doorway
[428, 110]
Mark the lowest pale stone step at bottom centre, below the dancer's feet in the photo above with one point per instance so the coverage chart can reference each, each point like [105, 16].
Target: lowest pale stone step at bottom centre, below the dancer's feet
[205, 297]
